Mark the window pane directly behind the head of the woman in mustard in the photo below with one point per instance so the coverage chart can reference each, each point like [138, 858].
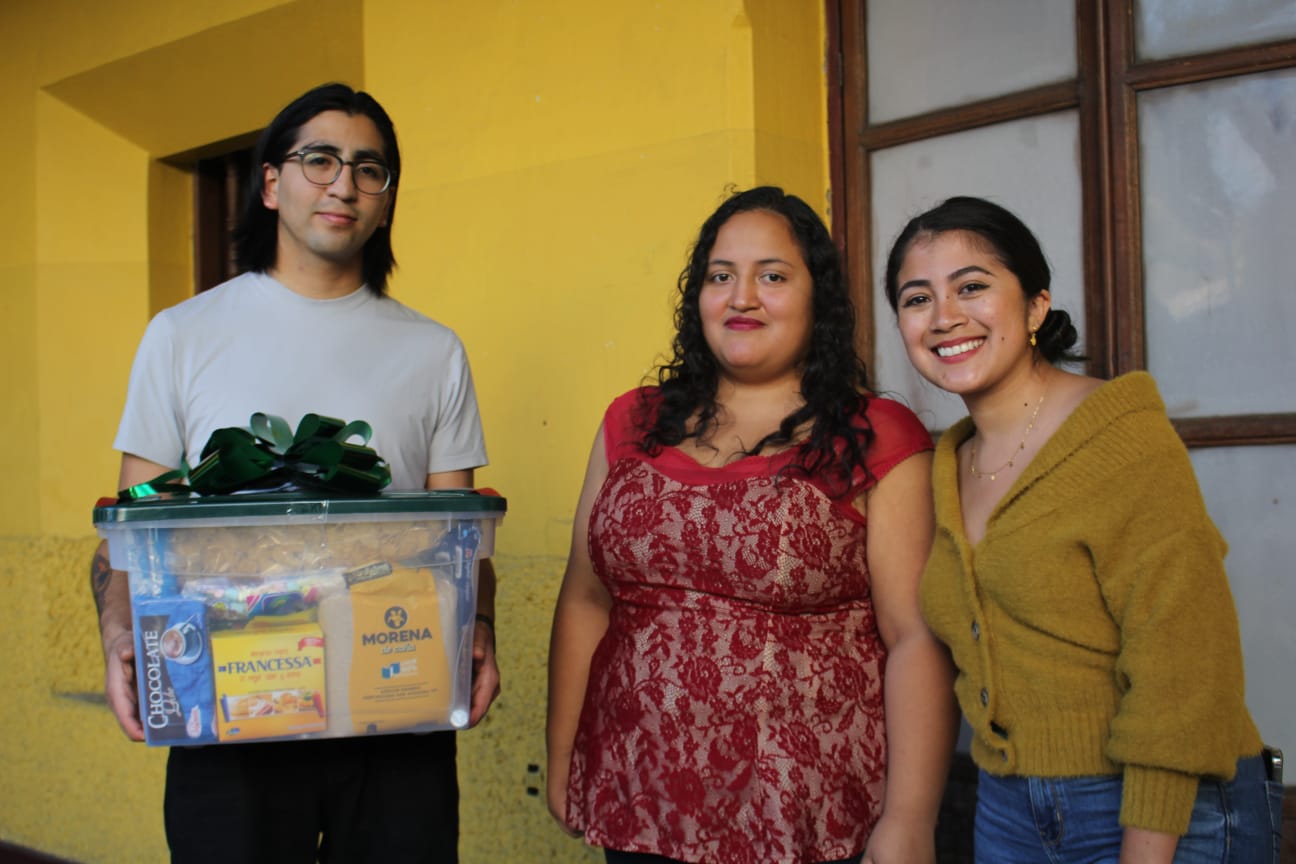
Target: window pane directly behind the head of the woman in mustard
[1030, 168]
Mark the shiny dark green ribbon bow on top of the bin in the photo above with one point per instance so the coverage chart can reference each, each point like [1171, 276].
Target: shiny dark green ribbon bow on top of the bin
[317, 455]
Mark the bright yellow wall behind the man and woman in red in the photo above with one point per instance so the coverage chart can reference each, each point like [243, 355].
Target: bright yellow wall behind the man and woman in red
[559, 157]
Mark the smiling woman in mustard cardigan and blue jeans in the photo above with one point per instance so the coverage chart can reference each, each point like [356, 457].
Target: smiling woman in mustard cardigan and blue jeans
[1075, 576]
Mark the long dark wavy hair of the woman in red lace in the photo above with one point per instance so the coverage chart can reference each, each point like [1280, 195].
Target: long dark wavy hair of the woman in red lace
[834, 379]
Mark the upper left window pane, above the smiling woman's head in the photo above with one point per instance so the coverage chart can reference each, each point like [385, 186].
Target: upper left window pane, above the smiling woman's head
[934, 54]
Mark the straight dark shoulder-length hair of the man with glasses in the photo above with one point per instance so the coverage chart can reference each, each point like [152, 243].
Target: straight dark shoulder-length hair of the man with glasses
[257, 235]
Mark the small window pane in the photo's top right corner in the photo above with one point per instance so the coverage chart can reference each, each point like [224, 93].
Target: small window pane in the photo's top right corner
[1171, 28]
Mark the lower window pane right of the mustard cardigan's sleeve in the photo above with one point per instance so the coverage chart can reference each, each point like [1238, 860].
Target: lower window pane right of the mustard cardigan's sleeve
[1249, 494]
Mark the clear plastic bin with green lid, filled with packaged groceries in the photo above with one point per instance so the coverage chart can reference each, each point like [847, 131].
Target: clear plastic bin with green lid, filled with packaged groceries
[287, 616]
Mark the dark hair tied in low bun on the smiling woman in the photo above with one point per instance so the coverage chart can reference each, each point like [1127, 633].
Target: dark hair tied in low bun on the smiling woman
[1009, 240]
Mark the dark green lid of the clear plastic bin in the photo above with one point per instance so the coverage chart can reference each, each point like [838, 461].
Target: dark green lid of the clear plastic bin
[266, 507]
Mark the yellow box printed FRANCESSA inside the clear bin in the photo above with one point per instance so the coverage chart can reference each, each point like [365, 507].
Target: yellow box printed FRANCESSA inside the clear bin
[270, 683]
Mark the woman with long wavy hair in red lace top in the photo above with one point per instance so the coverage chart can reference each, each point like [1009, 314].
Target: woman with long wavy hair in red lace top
[739, 672]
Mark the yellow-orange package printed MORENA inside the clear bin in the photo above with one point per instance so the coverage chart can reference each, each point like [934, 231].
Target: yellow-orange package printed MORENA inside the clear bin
[400, 673]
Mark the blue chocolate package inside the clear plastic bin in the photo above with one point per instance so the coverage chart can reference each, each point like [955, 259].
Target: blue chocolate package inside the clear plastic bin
[174, 669]
